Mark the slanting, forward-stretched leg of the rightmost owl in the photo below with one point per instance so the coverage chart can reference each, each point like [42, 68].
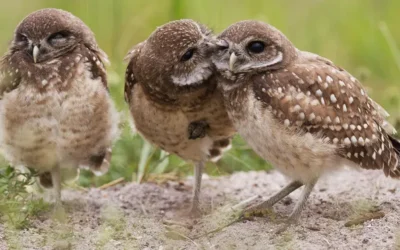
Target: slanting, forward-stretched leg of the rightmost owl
[264, 206]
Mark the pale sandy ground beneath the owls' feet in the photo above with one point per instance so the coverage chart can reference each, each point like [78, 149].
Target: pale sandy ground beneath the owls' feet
[133, 216]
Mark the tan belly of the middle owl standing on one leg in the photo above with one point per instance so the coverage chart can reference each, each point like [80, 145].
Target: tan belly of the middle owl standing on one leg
[167, 128]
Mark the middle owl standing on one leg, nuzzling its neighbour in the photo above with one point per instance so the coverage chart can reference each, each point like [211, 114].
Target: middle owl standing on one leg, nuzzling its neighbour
[170, 89]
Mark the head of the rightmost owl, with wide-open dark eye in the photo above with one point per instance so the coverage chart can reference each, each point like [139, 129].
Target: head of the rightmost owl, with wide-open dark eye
[254, 47]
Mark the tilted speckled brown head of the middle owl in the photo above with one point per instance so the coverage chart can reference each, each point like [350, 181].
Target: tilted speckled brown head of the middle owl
[176, 55]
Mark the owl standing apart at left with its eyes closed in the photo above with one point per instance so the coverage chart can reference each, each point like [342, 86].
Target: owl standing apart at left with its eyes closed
[56, 112]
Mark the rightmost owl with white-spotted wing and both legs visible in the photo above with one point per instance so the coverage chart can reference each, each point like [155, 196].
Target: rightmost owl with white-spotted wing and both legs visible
[299, 111]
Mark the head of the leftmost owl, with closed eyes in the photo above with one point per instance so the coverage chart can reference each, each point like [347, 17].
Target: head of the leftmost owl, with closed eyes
[48, 34]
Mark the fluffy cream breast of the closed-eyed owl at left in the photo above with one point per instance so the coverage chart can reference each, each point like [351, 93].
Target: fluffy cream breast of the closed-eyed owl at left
[59, 125]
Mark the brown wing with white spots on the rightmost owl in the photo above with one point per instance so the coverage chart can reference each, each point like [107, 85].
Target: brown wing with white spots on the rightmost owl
[317, 97]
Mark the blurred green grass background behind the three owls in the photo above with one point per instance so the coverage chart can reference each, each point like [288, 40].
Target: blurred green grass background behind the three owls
[359, 35]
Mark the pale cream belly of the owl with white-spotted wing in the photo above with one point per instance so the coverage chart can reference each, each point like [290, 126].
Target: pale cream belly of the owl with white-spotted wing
[299, 155]
